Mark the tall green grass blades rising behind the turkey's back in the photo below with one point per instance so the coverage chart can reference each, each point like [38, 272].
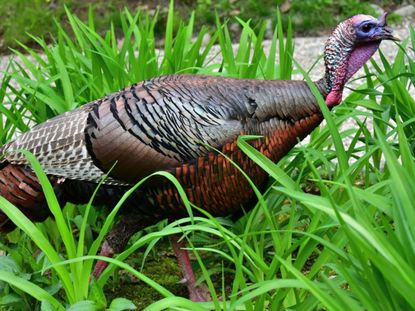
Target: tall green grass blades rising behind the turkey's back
[87, 66]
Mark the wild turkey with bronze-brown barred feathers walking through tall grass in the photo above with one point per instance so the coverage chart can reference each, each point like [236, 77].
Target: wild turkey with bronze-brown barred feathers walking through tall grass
[167, 123]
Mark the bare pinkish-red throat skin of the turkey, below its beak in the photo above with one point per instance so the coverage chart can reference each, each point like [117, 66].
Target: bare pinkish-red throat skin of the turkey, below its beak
[358, 57]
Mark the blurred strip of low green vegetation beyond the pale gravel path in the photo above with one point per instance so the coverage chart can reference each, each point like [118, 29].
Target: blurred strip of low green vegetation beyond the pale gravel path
[38, 17]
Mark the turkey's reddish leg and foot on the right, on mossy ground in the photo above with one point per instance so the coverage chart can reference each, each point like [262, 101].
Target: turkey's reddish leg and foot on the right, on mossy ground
[196, 293]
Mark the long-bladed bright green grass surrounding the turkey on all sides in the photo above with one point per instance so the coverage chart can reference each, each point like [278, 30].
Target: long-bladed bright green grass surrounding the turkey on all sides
[351, 246]
